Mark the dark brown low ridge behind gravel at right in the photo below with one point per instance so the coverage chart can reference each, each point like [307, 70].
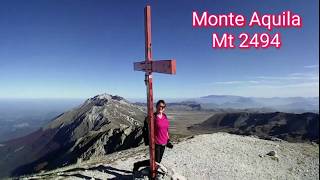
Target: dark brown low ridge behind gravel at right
[287, 126]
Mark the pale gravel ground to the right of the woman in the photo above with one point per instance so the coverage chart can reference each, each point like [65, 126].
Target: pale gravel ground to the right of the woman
[226, 156]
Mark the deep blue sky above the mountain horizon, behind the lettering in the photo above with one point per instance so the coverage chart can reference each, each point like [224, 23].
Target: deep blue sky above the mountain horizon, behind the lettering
[77, 49]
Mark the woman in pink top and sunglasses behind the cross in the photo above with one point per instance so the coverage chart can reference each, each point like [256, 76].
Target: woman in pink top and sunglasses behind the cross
[161, 135]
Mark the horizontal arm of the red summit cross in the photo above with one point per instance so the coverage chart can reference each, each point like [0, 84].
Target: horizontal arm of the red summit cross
[160, 66]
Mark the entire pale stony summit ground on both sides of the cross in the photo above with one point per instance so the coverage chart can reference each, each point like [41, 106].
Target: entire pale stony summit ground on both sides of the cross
[210, 156]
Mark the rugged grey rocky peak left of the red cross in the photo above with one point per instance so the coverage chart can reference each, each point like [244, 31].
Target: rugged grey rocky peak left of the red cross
[101, 125]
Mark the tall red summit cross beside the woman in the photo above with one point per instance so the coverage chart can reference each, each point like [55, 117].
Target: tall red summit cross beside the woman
[149, 66]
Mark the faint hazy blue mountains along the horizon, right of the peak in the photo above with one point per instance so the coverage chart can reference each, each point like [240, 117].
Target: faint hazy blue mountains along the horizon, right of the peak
[236, 103]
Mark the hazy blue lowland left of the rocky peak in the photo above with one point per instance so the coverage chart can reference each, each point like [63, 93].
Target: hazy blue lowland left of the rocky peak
[19, 117]
